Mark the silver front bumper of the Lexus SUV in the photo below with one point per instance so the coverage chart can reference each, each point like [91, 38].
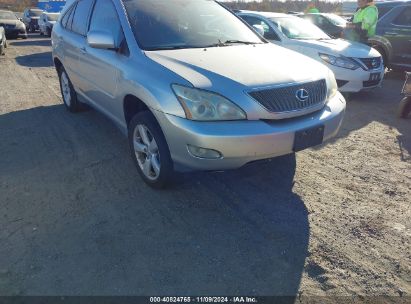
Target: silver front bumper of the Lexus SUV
[242, 142]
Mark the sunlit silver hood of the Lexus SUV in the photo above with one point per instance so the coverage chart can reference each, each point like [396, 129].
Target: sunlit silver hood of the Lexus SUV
[247, 65]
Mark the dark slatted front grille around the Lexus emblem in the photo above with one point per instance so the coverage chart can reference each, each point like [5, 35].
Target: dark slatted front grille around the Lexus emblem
[284, 99]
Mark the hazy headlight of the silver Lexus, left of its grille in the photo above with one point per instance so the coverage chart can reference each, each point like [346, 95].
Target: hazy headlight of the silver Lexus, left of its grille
[206, 106]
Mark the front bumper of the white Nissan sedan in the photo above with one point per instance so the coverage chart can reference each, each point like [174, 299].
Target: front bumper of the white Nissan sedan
[352, 81]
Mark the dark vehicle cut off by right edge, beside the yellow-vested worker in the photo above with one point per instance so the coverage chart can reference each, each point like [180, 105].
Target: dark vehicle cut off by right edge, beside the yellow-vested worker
[393, 37]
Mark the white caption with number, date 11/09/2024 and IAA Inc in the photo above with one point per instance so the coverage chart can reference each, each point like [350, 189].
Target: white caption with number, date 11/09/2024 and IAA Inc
[203, 300]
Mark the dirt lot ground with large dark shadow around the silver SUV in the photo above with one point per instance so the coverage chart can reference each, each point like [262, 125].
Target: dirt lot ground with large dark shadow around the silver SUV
[77, 220]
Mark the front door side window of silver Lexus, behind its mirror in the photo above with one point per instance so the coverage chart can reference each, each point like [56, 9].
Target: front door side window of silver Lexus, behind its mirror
[105, 18]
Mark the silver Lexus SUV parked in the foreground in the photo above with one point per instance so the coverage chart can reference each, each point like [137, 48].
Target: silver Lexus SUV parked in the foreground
[192, 85]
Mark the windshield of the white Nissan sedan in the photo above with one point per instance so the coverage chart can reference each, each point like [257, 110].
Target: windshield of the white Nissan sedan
[297, 28]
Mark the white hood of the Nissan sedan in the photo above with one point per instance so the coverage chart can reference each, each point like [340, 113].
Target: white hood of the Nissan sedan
[340, 47]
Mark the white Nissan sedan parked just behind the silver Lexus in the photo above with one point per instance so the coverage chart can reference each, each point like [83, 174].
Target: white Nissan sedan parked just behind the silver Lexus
[356, 66]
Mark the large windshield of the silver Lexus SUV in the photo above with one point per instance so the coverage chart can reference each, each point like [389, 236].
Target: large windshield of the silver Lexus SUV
[172, 24]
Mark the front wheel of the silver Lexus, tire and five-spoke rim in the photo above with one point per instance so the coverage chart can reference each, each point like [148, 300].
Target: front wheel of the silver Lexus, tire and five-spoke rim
[150, 151]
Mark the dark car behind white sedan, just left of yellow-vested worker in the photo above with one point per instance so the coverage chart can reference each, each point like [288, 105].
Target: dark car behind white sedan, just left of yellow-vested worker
[332, 24]
